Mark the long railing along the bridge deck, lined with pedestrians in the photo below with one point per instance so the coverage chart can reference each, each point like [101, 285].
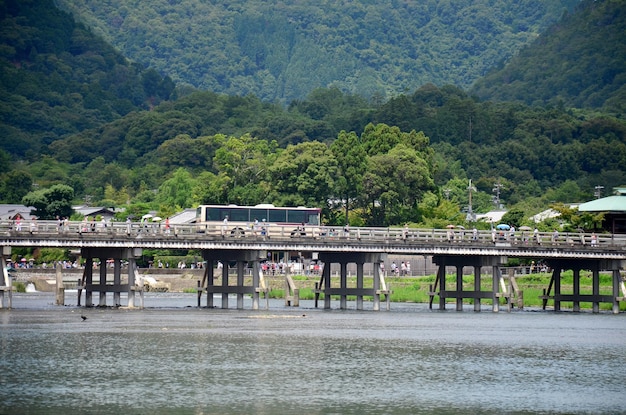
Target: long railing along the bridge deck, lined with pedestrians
[331, 234]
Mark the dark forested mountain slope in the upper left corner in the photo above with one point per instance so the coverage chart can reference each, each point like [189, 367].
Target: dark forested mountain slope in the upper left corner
[56, 78]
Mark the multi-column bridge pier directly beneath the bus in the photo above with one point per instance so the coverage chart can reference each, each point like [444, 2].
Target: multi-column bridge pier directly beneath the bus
[241, 259]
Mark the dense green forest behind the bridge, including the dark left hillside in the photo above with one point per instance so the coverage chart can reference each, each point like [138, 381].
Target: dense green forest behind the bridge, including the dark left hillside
[80, 121]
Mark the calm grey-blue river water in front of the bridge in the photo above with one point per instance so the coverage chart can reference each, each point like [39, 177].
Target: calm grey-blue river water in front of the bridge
[172, 358]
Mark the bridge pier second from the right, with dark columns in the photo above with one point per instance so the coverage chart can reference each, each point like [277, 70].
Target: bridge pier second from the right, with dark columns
[459, 294]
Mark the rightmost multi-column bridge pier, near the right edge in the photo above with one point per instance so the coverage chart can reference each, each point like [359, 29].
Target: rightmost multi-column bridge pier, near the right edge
[554, 291]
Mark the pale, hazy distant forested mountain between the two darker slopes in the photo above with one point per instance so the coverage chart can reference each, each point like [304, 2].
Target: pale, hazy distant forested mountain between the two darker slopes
[284, 50]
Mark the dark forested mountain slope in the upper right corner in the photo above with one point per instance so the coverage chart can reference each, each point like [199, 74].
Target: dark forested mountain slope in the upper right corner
[579, 62]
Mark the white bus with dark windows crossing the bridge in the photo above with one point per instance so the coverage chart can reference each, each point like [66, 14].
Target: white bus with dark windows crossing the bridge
[237, 220]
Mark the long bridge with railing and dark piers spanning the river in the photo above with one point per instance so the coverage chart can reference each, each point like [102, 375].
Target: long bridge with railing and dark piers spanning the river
[336, 248]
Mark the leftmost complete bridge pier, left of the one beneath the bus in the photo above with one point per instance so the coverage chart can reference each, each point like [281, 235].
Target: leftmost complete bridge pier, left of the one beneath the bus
[103, 287]
